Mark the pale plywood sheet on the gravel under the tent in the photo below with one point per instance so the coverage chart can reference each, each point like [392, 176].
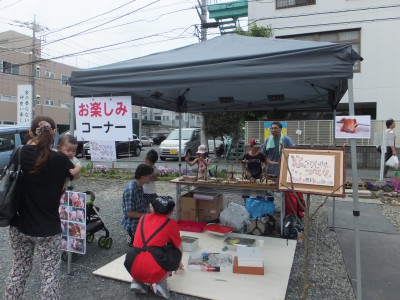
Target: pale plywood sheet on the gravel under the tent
[278, 260]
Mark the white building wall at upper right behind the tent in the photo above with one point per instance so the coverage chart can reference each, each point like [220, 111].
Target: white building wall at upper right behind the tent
[370, 26]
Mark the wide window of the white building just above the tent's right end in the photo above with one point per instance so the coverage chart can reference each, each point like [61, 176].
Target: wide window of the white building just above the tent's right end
[352, 37]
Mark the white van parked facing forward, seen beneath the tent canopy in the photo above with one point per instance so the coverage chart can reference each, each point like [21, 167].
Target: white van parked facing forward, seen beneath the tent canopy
[190, 141]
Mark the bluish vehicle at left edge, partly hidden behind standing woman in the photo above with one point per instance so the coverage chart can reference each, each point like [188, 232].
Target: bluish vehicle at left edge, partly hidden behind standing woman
[10, 138]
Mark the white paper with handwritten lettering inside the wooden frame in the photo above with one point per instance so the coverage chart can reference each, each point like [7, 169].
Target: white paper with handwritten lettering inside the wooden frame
[311, 169]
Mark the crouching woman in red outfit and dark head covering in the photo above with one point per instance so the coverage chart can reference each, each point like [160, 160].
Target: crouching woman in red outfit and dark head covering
[145, 268]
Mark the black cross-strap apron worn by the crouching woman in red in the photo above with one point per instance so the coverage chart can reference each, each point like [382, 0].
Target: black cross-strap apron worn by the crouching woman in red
[167, 257]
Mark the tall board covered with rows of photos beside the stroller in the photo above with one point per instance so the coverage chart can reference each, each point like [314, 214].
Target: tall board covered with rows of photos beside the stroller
[72, 212]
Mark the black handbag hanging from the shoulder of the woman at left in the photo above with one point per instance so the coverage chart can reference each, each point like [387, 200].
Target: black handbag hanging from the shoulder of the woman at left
[10, 180]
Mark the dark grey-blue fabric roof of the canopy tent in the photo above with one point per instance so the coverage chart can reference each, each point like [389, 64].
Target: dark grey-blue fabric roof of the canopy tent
[228, 73]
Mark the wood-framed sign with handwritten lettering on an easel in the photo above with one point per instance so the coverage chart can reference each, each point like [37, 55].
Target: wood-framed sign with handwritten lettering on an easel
[313, 171]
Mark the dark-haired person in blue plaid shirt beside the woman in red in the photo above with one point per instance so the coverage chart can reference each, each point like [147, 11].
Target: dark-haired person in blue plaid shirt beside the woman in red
[133, 204]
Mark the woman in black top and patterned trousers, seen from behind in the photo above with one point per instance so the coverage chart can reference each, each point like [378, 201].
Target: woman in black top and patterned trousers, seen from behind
[38, 223]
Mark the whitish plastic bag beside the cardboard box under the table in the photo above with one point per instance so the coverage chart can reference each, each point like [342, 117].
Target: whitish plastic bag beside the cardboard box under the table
[235, 216]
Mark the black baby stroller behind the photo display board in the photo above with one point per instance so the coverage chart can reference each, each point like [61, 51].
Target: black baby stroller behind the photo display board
[94, 223]
